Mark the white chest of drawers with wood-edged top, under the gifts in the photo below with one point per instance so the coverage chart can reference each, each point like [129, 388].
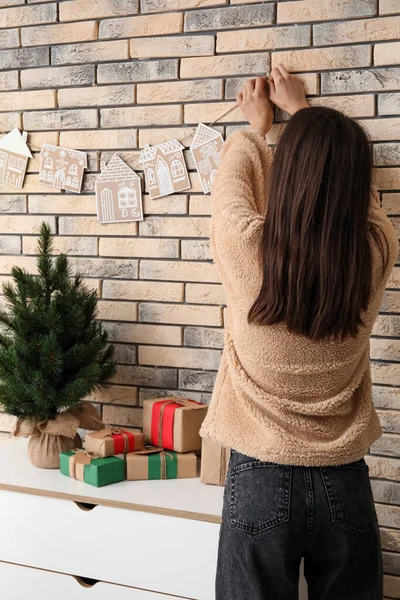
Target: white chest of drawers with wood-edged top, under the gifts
[141, 540]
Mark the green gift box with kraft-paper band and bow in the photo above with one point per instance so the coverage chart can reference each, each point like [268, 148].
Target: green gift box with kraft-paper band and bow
[97, 471]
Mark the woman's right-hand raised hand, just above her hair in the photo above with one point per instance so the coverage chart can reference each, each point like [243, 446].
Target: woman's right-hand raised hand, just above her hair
[286, 90]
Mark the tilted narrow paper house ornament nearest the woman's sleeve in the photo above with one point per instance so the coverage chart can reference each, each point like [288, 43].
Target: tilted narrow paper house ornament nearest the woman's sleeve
[206, 148]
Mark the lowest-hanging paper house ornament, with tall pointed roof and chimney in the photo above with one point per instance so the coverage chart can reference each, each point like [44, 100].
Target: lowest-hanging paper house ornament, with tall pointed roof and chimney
[118, 193]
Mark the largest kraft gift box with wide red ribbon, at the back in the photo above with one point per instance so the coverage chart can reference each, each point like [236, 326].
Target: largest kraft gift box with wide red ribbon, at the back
[173, 423]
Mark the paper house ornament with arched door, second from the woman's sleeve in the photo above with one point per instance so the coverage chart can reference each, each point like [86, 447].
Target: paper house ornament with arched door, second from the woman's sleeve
[165, 168]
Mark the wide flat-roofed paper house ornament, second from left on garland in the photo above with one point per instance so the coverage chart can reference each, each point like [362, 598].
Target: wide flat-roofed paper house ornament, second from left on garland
[62, 168]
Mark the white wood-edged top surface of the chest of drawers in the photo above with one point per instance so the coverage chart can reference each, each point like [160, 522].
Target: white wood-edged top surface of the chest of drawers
[186, 498]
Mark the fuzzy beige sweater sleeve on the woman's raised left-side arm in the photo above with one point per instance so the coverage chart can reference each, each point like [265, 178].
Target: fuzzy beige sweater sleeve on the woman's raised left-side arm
[239, 202]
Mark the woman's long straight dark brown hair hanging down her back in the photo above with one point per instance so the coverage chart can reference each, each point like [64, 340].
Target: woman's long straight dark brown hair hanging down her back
[315, 249]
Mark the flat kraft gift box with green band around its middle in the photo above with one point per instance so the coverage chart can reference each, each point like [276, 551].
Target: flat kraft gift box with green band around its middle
[156, 463]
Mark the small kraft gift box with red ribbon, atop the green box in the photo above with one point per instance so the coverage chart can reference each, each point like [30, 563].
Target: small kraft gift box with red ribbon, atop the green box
[112, 440]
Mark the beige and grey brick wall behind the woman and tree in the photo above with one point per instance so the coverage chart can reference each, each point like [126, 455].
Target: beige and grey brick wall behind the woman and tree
[113, 75]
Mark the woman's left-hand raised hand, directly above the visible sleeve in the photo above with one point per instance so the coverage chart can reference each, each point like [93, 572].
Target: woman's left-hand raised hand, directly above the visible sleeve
[255, 104]
